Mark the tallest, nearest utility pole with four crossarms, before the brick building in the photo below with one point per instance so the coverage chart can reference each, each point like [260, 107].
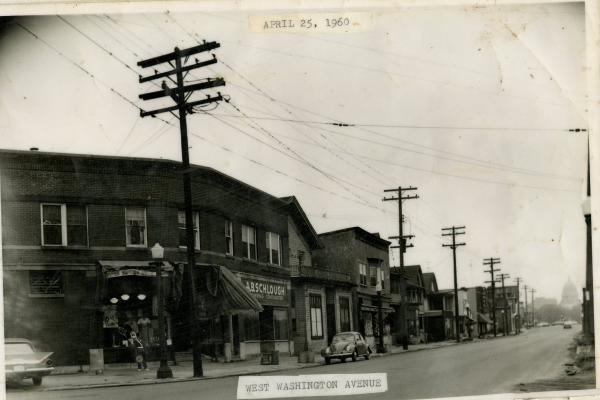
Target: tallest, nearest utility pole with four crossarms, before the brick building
[180, 95]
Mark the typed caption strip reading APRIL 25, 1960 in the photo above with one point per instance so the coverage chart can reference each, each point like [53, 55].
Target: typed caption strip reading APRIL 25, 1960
[313, 23]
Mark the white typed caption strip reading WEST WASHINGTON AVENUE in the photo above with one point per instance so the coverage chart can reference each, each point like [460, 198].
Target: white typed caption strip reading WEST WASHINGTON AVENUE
[270, 387]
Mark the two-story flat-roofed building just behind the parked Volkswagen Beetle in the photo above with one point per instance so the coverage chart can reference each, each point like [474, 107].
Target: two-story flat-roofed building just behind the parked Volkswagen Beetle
[365, 256]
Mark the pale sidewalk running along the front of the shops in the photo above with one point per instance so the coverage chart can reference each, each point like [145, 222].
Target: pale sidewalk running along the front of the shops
[129, 375]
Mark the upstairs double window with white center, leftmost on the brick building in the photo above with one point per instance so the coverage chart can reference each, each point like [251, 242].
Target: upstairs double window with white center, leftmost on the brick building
[64, 225]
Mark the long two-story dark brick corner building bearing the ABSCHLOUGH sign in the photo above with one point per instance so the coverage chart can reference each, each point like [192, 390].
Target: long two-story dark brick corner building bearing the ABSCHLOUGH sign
[69, 221]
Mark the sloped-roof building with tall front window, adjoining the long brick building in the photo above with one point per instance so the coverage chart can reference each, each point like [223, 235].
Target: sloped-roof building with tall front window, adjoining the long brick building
[321, 303]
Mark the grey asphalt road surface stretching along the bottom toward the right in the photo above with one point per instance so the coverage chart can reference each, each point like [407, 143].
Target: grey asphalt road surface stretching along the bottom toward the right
[476, 368]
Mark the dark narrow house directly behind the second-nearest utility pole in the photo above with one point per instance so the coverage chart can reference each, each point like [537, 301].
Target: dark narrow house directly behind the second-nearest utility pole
[415, 295]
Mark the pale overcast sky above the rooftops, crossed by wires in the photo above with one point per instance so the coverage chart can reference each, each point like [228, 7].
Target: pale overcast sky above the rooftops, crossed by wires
[470, 105]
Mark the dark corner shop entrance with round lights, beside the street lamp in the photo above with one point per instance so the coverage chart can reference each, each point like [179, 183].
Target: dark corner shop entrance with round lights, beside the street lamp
[127, 298]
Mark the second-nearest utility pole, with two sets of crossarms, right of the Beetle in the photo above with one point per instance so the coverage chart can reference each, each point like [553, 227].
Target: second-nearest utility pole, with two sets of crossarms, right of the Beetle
[402, 246]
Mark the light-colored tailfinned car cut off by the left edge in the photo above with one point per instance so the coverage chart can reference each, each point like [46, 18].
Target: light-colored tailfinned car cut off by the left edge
[22, 361]
